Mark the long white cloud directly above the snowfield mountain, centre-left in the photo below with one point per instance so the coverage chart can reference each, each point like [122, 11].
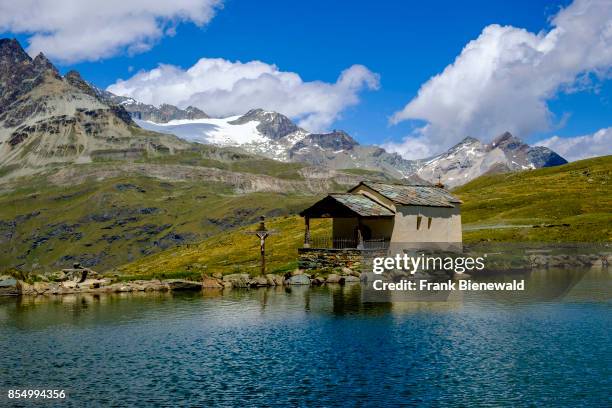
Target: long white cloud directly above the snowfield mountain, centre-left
[223, 88]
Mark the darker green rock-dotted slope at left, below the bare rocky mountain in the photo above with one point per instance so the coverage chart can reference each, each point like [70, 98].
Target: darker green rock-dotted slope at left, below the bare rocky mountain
[113, 221]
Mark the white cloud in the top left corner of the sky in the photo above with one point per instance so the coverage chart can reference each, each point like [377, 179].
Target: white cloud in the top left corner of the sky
[76, 30]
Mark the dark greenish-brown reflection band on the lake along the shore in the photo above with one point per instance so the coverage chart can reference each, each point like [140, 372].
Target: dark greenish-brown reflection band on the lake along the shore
[338, 300]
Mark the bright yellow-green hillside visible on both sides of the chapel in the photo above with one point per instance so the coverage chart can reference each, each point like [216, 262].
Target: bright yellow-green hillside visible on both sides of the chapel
[570, 203]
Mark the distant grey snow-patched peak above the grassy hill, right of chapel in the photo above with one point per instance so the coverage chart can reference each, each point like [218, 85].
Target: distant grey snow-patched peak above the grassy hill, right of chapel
[471, 158]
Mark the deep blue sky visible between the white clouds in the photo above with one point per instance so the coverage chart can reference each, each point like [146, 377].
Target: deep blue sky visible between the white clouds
[404, 43]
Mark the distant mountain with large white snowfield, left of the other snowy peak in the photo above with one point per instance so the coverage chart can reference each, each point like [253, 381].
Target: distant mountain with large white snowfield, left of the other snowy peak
[273, 135]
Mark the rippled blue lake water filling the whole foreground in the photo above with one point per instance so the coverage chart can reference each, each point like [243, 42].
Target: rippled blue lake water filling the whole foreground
[550, 346]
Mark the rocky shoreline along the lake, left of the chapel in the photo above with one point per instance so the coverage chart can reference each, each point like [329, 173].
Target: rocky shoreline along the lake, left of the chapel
[84, 280]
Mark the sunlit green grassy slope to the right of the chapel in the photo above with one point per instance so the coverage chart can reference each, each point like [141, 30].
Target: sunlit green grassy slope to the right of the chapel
[570, 203]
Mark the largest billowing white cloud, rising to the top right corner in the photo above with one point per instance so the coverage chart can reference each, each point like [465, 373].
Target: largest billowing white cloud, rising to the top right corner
[502, 80]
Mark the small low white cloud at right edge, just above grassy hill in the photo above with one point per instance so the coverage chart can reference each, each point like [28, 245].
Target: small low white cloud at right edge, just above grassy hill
[581, 147]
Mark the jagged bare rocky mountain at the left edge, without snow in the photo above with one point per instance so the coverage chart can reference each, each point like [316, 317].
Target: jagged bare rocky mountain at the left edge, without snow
[46, 118]
